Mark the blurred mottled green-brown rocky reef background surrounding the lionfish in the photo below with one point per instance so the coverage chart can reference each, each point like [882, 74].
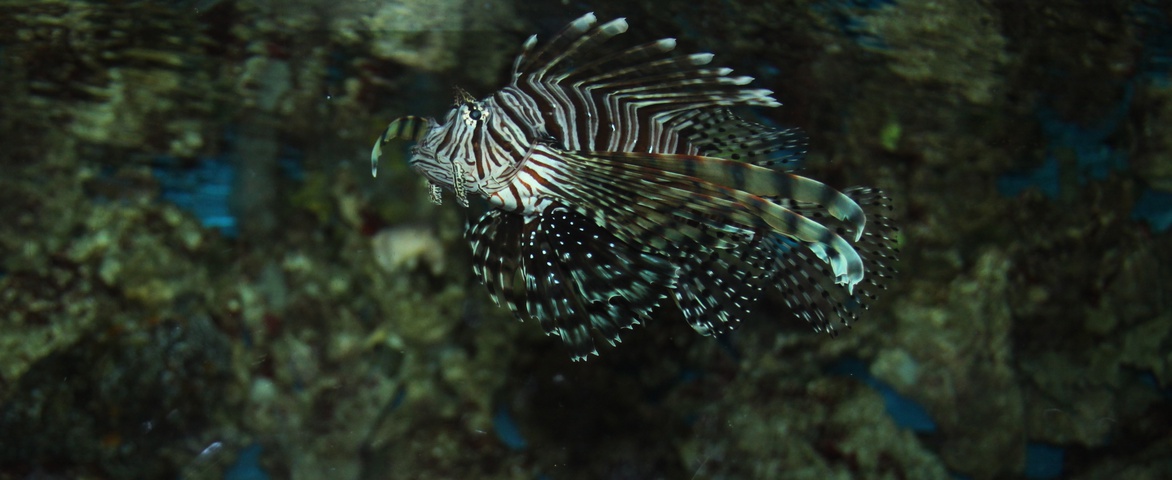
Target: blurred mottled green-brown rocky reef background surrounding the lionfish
[201, 279]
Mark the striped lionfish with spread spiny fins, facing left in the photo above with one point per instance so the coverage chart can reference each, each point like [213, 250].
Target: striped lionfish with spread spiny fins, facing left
[619, 182]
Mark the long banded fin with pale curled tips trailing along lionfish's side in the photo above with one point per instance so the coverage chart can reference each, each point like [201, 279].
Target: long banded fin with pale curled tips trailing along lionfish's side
[723, 195]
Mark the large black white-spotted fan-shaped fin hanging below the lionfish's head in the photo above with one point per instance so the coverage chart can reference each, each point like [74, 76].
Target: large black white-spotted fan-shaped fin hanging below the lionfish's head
[576, 276]
